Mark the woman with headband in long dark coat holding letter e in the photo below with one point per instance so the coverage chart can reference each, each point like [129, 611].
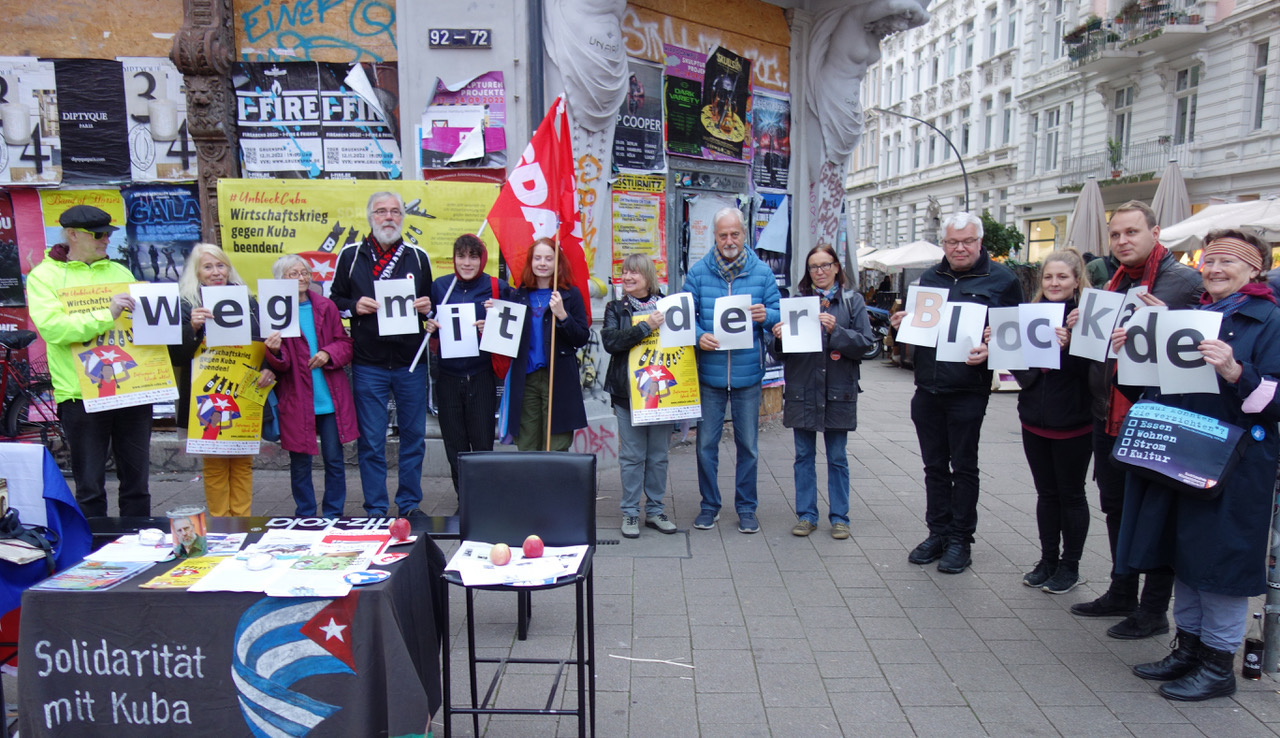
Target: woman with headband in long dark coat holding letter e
[1217, 548]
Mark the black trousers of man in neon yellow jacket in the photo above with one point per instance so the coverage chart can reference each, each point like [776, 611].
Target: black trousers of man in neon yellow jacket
[127, 433]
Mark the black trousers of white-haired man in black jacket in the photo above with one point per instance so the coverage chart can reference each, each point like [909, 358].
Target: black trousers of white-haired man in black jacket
[948, 427]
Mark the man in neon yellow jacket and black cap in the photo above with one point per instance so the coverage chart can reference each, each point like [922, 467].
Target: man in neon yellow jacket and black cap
[79, 262]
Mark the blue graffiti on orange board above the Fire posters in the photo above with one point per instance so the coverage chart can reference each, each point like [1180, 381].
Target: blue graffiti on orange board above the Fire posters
[316, 30]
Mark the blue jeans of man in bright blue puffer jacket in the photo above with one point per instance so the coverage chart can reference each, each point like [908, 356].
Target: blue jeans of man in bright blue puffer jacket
[747, 430]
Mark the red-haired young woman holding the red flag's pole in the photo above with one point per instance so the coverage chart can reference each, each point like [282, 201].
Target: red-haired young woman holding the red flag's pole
[563, 310]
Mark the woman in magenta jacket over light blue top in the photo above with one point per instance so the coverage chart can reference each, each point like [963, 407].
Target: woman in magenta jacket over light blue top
[314, 393]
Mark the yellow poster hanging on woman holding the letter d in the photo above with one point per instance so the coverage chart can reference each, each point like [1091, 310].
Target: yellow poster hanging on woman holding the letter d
[664, 382]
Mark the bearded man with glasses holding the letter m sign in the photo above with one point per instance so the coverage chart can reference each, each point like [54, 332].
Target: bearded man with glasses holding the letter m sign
[381, 364]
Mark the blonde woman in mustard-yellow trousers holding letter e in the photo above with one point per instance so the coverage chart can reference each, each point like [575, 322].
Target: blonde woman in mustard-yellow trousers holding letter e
[228, 480]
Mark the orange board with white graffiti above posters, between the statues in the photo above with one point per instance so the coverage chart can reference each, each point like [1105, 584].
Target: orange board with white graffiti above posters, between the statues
[646, 33]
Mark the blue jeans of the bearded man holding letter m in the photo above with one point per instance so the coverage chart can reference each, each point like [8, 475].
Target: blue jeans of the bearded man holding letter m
[374, 387]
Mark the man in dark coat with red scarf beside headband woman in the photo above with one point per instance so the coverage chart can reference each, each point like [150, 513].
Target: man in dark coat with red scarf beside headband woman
[1144, 262]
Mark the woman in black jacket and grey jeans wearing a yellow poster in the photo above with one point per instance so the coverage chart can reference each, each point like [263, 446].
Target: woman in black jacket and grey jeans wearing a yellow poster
[642, 448]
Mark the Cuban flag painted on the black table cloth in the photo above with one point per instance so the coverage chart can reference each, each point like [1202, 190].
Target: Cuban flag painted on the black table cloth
[281, 641]
